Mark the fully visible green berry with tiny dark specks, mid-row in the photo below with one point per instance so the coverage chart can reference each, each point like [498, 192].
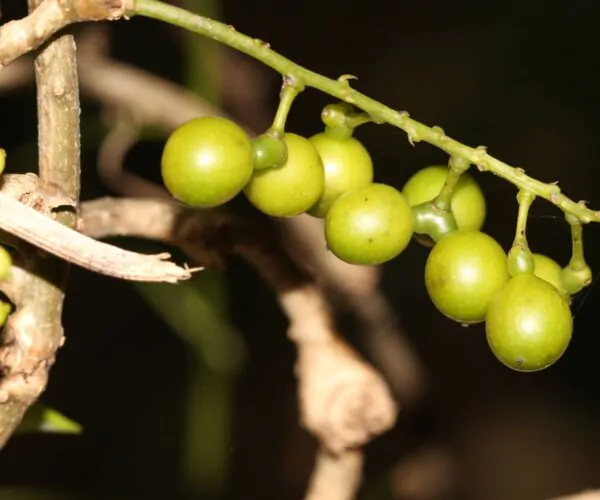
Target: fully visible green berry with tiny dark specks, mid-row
[369, 226]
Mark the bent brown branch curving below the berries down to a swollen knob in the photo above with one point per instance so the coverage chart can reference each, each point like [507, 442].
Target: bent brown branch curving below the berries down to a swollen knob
[344, 401]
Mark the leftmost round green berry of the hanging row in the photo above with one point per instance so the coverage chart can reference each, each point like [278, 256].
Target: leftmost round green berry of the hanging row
[207, 161]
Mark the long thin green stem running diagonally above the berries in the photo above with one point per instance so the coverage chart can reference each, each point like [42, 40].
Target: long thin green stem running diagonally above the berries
[379, 112]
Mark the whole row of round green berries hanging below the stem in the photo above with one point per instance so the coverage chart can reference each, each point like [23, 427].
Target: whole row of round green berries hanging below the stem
[208, 161]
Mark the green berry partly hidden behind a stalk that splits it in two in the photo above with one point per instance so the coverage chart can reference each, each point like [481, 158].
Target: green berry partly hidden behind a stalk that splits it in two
[468, 203]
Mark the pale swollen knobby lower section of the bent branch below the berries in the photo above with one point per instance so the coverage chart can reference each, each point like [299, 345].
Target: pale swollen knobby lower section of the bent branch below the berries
[357, 402]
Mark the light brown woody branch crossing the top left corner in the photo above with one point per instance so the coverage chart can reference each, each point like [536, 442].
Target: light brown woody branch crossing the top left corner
[50, 16]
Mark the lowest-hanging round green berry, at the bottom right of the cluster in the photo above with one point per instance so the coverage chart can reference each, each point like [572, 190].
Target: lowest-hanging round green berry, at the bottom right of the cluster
[529, 324]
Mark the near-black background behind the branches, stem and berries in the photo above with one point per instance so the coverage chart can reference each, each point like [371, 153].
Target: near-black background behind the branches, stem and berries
[518, 77]
